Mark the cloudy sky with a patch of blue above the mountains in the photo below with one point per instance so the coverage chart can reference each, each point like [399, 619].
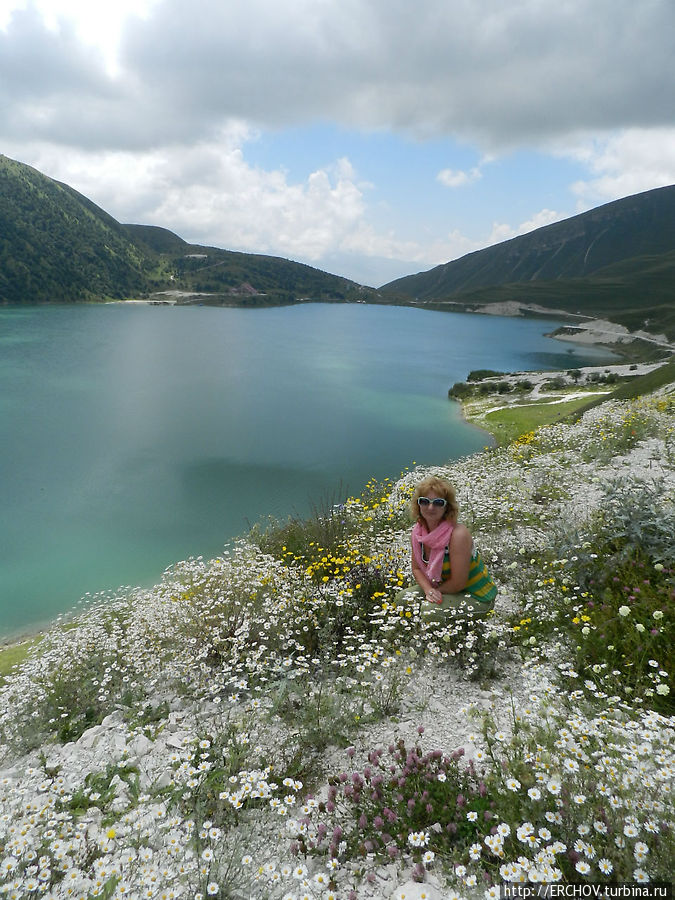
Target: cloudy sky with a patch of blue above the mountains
[369, 138]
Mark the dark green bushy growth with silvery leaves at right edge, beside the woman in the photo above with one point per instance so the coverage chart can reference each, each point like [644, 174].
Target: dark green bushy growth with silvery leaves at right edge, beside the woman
[607, 588]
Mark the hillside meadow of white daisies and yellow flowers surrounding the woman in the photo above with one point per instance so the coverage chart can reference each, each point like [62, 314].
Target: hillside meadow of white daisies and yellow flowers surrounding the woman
[272, 724]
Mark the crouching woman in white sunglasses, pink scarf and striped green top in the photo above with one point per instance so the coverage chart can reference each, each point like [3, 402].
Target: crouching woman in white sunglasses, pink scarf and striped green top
[445, 564]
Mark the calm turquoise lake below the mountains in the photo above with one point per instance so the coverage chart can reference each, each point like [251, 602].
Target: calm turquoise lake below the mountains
[135, 436]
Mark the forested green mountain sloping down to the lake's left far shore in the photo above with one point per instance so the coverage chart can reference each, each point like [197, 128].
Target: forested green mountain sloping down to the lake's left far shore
[56, 246]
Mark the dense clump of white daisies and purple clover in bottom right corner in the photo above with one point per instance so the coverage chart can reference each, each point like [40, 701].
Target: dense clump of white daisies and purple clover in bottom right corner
[571, 776]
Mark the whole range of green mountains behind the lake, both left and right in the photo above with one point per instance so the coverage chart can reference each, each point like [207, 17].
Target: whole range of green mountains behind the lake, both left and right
[615, 262]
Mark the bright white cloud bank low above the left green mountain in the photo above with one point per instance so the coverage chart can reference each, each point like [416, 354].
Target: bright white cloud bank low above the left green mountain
[210, 194]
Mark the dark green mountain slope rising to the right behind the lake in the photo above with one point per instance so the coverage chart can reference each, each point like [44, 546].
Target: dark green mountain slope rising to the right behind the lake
[615, 261]
